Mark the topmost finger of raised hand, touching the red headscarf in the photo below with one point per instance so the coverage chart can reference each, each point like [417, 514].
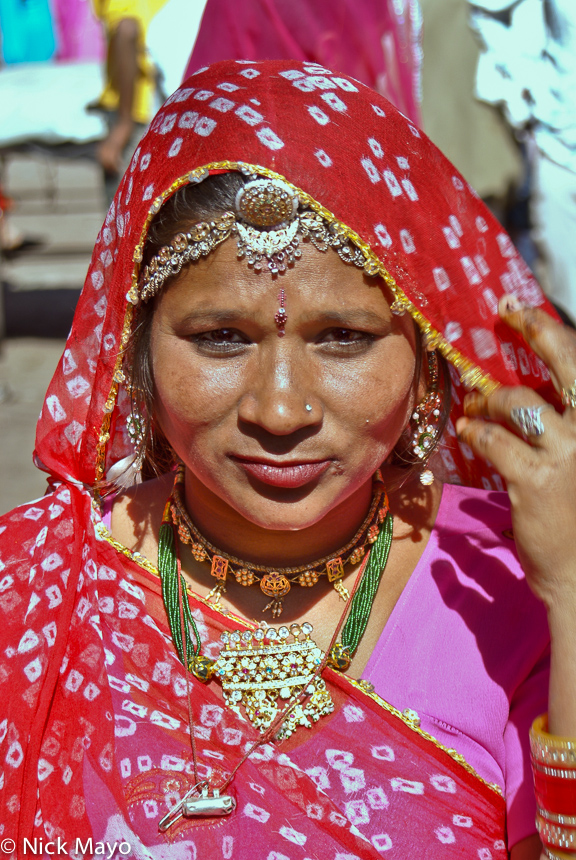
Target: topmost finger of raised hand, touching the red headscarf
[552, 341]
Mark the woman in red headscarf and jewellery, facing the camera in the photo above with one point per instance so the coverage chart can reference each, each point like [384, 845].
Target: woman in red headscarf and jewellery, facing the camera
[263, 337]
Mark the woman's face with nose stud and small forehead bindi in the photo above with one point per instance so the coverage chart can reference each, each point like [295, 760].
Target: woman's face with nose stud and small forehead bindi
[280, 429]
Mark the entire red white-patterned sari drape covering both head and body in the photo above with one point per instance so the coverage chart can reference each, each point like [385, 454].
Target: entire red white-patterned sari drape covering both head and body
[93, 715]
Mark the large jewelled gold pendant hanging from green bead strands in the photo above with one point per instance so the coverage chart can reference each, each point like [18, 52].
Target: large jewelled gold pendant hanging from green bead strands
[262, 669]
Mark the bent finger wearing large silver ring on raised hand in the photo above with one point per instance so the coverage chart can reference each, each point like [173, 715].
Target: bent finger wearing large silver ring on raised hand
[521, 409]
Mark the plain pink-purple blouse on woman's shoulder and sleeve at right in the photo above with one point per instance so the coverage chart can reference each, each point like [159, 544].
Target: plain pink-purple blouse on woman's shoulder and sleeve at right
[451, 645]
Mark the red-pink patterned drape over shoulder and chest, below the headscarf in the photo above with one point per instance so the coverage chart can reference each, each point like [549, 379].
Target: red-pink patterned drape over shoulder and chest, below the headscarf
[97, 742]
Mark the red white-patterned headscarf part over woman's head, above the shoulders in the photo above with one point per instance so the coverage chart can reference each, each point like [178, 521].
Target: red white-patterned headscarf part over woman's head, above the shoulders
[361, 162]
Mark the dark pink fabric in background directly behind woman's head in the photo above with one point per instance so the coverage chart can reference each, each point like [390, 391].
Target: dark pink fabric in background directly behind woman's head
[376, 42]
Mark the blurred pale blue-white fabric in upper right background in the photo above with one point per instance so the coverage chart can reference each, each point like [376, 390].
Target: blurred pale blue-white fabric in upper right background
[529, 68]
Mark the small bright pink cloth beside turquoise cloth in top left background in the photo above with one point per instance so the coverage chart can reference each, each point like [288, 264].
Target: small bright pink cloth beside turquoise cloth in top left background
[79, 34]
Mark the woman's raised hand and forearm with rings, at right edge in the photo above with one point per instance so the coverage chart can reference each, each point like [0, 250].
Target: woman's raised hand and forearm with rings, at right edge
[540, 470]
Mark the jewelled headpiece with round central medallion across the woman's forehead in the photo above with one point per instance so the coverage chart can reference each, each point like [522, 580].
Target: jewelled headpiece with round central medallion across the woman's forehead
[269, 220]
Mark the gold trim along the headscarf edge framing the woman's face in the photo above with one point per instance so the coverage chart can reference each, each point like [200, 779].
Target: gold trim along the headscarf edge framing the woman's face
[471, 375]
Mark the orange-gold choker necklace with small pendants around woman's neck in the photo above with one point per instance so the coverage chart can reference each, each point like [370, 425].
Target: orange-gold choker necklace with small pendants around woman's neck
[277, 583]
